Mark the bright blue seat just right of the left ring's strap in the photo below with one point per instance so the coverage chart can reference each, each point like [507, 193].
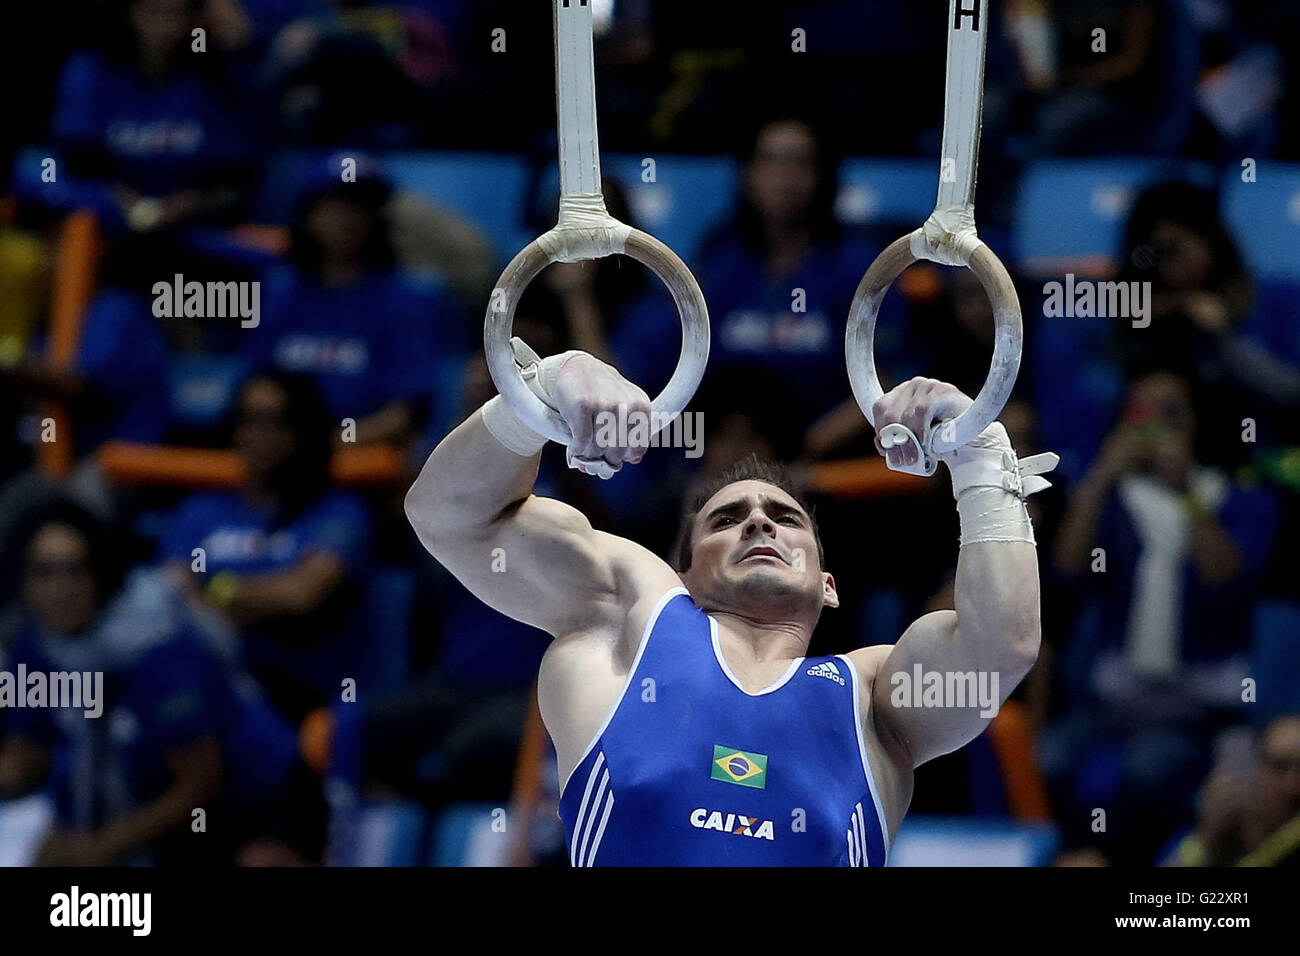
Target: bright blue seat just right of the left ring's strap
[691, 196]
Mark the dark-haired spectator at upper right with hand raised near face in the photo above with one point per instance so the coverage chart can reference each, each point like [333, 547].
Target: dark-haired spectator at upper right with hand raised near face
[1211, 319]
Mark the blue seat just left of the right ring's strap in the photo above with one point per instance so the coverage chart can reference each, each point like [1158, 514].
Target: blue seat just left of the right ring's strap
[886, 192]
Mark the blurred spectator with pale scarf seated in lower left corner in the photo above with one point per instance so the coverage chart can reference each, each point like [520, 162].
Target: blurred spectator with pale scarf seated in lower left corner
[176, 730]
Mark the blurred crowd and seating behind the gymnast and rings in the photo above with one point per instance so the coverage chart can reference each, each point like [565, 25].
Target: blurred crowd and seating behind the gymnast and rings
[211, 513]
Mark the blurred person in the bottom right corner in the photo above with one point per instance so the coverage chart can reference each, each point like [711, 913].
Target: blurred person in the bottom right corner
[1253, 819]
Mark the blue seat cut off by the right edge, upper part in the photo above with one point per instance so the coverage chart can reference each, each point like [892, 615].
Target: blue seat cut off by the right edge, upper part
[1266, 218]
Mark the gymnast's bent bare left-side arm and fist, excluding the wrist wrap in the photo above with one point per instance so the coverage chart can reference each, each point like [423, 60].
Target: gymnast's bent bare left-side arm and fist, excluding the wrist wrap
[536, 560]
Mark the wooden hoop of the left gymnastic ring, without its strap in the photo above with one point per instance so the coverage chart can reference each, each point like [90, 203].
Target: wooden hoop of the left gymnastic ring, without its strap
[686, 295]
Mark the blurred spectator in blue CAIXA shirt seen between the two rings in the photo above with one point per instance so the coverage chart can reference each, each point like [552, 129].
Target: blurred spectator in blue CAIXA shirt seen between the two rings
[779, 280]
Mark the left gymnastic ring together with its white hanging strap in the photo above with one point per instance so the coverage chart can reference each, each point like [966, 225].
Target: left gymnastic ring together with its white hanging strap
[586, 231]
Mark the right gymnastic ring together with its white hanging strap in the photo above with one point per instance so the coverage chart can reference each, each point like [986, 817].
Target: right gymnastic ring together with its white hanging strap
[948, 237]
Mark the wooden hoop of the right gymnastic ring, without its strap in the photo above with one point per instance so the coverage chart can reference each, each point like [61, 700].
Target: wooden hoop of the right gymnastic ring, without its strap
[1008, 341]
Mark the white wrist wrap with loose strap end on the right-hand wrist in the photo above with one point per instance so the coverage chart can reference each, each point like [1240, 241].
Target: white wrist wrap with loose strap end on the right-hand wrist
[991, 486]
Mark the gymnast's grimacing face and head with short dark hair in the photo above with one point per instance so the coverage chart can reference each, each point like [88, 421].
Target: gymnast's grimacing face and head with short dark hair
[753, 551]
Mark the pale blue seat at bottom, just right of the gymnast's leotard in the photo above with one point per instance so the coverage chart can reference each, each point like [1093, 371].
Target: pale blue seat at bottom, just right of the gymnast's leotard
[973, 842]
